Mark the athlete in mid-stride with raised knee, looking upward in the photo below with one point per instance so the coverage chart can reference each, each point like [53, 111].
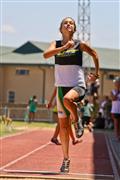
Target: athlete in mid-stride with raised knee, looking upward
[70, 81]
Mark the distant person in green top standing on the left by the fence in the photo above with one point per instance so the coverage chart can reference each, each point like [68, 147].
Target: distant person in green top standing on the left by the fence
[32, 108]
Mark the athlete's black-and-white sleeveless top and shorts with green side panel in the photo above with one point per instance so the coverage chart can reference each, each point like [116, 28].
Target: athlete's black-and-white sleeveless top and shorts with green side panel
[68, 75]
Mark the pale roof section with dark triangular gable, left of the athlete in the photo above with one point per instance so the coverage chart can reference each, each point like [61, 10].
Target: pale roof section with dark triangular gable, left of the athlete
[30, 53]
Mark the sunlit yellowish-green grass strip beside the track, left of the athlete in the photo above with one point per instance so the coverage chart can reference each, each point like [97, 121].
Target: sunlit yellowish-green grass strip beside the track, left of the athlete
[20, 126]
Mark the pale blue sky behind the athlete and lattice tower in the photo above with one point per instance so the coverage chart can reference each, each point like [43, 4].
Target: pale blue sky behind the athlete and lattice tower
[23, 20]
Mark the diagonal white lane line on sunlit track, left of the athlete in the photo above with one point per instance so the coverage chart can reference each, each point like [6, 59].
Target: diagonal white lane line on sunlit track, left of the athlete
[24, 156]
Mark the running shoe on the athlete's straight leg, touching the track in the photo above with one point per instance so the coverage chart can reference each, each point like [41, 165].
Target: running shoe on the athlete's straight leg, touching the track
[65, 166]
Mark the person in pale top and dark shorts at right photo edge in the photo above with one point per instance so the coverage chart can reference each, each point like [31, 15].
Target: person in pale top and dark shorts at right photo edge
[115, 95]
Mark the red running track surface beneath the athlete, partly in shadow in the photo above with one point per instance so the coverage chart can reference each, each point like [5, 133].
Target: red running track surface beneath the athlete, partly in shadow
[32, 151]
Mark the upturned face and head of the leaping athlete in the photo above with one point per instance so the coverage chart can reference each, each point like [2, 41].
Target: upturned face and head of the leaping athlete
[68, 25]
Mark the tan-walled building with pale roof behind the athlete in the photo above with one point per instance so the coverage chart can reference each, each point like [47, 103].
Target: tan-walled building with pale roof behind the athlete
[24, 72]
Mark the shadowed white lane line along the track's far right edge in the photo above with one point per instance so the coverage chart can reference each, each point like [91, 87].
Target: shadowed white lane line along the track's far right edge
[115, 172]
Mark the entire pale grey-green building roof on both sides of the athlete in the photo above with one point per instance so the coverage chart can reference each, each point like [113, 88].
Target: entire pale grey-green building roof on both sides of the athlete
[31, 53]
